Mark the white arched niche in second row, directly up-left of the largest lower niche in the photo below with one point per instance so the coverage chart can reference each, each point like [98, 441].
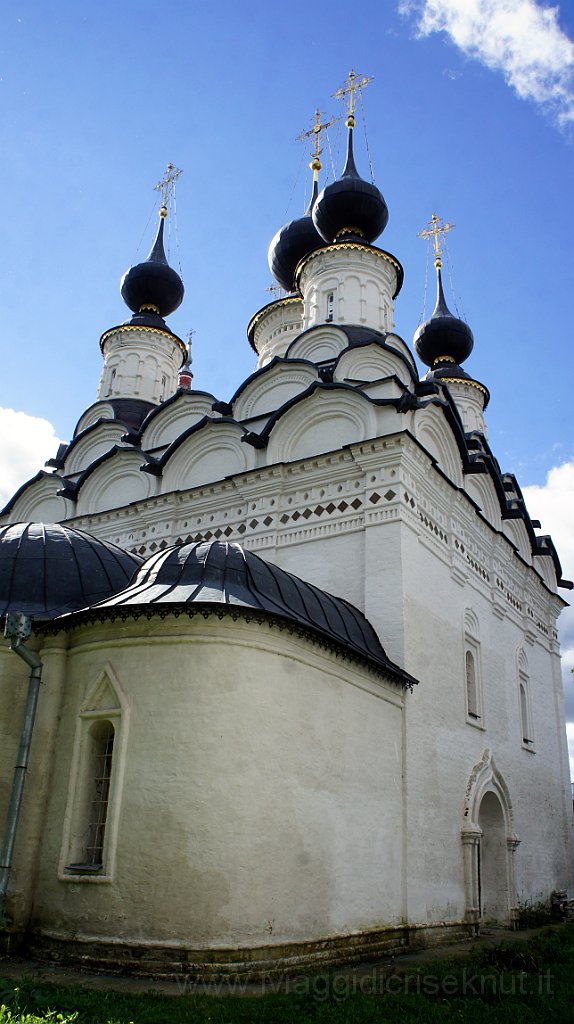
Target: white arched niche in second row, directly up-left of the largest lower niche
[273, 388]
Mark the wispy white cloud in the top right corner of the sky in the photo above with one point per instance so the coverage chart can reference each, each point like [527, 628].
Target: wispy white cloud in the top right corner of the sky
[521, 38]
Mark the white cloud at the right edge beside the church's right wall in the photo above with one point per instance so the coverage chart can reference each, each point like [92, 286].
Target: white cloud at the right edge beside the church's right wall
[553, 504]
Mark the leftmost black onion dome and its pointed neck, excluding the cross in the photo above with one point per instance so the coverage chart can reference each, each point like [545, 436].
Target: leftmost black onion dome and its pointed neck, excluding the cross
[153, 284]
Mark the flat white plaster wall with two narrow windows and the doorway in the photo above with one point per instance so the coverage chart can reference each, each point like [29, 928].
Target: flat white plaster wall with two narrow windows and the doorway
[443, 748]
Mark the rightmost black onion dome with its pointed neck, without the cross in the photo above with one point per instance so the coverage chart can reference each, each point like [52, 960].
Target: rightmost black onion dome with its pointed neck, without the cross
[444, 338]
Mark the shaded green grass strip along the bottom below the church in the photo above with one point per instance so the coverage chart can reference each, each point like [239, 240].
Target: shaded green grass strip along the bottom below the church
[527, 983]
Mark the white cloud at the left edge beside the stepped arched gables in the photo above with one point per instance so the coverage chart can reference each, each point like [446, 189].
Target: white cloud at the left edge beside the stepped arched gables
[26, 443]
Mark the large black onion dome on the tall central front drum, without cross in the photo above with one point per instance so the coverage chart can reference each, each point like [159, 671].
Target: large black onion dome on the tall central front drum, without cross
[350, 206]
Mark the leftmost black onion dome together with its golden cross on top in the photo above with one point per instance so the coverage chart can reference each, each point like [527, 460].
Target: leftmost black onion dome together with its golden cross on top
[153, 289]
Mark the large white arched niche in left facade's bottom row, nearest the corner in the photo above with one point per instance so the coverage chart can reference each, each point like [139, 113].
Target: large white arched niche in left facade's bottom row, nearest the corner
[324, 422]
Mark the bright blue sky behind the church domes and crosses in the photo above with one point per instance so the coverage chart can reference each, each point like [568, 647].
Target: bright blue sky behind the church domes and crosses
[471, 113]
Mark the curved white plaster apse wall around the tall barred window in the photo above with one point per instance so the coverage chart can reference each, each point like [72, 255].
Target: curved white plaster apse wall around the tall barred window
[273, 814]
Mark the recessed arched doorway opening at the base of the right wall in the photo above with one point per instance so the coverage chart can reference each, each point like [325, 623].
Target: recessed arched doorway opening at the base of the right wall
[493, 862]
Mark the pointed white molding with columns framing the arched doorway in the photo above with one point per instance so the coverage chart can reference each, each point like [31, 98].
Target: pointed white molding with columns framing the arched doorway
[485, 778]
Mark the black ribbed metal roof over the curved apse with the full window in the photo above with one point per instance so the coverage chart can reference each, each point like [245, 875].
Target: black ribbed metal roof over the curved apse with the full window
[224, 574]
